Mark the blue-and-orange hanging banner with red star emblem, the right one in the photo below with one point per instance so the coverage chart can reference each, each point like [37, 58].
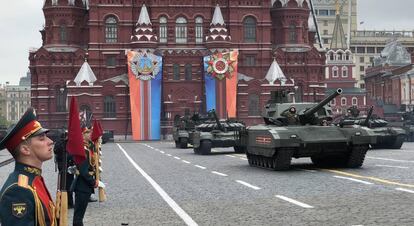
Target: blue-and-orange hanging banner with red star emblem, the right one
[221, 82]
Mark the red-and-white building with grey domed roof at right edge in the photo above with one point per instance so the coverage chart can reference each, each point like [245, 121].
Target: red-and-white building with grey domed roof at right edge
[389, 81]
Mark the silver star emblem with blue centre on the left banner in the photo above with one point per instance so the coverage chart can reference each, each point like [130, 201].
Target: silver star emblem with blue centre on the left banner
[145, 66]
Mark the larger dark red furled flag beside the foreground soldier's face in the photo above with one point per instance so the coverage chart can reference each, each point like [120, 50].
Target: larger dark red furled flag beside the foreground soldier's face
[75, 140]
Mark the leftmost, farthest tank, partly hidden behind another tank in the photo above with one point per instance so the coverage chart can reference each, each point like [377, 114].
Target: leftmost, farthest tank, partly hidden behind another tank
[184, 127]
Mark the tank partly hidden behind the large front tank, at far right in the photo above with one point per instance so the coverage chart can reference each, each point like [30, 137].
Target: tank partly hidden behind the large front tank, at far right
[387, 137]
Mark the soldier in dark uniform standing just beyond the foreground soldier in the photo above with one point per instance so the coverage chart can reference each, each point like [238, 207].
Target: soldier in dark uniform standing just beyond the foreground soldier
[85, 181]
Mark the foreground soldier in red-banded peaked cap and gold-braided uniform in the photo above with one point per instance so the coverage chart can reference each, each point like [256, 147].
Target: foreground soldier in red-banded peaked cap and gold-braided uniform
[24, 198]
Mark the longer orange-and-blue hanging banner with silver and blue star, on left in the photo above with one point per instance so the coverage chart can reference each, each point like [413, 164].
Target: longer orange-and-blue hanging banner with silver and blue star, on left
[145, 75]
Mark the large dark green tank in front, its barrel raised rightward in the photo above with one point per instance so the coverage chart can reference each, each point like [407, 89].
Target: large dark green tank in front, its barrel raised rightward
[273, 145]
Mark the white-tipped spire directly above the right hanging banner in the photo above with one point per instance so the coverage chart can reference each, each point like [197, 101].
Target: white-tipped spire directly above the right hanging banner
[218, 31]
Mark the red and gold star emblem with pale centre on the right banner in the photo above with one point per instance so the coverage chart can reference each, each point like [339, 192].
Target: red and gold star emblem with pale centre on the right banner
[221, 66]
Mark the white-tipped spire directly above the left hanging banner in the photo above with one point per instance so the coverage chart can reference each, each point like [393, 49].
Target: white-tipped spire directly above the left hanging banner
[143, 29]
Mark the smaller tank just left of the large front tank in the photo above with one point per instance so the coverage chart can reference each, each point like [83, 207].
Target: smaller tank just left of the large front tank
[218, 134]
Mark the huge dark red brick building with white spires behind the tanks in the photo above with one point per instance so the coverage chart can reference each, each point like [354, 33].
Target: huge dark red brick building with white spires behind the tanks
[180, 34]
